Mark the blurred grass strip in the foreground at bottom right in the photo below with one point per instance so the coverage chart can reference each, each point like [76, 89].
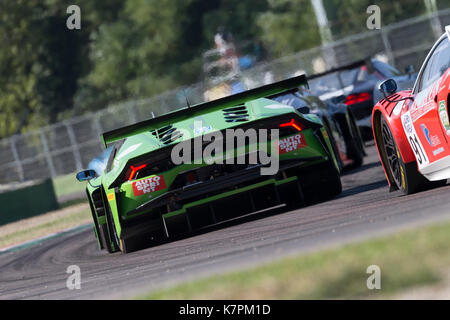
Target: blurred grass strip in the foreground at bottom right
[407, 259]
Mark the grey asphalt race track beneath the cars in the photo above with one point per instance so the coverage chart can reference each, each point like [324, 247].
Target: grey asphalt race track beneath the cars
[364, 209]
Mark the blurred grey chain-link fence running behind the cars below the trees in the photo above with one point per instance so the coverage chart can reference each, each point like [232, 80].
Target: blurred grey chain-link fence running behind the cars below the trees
[69, 146]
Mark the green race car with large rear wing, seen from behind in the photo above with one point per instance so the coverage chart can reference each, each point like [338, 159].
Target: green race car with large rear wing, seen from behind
[184, 170]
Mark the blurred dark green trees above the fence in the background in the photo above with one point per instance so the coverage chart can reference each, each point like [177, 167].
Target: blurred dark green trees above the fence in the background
[138, 48]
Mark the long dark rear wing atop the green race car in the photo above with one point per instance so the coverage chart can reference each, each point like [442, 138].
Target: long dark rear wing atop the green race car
[239, 98]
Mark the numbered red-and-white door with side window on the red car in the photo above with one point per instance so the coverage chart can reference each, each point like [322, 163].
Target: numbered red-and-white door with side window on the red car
[421, 122]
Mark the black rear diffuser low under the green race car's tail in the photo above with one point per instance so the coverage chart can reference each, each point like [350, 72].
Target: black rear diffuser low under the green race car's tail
[220, 208]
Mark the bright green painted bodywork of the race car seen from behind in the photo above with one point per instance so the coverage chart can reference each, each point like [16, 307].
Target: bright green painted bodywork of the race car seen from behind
[112, 197]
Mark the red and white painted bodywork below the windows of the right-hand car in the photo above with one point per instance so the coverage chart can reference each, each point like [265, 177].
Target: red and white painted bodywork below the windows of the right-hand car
[420, 127]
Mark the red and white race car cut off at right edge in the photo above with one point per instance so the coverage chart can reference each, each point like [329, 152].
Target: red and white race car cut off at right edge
[411, 128]
